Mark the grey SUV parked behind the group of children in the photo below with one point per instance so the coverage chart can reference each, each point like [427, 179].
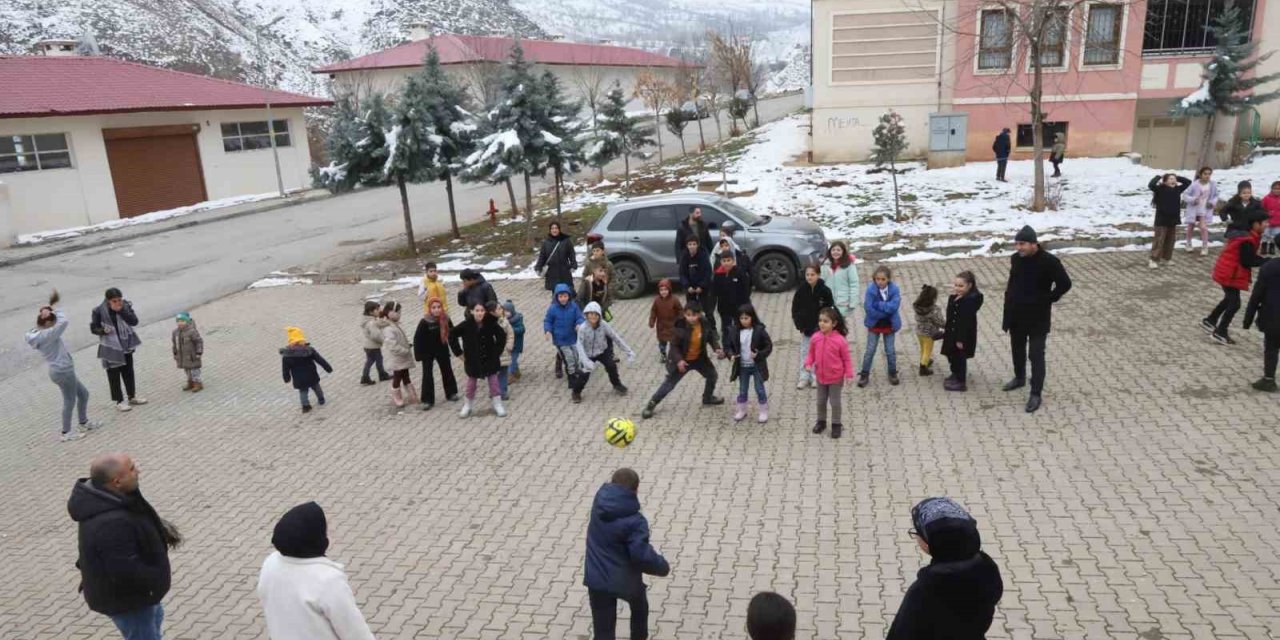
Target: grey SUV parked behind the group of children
[641, 236]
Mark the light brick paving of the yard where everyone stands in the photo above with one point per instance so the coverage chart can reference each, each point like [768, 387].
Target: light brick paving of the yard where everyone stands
[1139, 504]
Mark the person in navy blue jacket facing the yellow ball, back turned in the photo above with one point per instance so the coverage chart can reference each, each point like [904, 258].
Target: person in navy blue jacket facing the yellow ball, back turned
[618, 557]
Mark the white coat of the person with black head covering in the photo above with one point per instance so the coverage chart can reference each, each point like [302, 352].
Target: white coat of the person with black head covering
[309, 600]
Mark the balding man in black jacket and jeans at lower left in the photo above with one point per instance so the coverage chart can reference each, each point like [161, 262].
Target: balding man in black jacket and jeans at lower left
[124, 547]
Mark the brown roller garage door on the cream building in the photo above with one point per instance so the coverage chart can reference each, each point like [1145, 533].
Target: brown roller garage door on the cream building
[156, 168]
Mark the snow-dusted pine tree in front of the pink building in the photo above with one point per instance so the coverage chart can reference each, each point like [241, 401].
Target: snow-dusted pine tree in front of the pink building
[1228, 89]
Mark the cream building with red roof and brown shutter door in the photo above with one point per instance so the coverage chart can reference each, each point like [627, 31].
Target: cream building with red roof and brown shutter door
[86, 140]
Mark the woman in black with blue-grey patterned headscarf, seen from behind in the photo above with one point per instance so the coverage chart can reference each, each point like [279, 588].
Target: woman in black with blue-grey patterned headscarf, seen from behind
[956, 596]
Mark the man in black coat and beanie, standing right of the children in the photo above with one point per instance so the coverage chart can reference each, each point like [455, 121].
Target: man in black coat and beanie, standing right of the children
[1036, 282]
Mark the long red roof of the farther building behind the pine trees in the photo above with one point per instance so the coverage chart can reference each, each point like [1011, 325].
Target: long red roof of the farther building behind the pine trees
[455, 49]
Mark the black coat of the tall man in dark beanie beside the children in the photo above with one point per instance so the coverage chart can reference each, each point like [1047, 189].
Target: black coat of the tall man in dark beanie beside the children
[1035, 285]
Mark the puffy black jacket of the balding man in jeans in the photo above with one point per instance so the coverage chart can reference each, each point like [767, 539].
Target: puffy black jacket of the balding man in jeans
[124, 557]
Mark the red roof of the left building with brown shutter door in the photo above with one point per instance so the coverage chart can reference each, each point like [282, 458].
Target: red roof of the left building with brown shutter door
[47, 86]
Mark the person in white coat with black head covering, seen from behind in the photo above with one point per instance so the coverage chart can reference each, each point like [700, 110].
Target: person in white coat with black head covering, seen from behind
[305, 596]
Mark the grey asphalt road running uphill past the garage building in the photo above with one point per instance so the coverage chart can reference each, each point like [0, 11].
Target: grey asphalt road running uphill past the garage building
[181, 269]
